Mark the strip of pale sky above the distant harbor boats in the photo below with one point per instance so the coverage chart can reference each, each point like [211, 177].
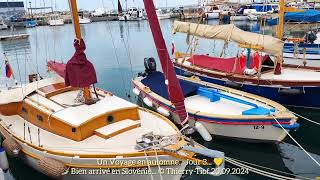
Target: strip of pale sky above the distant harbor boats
[112, 4]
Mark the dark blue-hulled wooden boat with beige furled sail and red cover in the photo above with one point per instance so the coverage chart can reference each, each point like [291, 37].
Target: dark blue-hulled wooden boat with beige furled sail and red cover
[287, 84]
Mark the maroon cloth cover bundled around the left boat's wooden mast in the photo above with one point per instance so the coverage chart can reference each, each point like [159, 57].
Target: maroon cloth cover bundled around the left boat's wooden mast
[79, 71]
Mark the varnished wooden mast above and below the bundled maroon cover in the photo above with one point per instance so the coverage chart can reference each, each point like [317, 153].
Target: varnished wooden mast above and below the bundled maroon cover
[77, 30]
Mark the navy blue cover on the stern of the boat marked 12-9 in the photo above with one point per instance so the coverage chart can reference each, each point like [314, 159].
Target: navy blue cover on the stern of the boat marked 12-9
[155, 82]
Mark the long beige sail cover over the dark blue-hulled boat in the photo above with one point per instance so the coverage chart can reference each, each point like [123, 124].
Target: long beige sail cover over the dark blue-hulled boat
[230, 32]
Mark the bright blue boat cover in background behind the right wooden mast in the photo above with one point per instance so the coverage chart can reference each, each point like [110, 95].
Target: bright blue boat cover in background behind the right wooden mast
[310, 16]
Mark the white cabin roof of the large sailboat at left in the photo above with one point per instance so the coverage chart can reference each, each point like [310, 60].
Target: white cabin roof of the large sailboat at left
[63, 106]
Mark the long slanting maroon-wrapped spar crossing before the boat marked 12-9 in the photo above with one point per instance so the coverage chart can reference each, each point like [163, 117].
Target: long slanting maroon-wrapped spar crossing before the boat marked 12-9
[172, 82]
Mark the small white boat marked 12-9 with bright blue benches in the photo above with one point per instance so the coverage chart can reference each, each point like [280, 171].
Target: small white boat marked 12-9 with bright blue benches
[222, 111]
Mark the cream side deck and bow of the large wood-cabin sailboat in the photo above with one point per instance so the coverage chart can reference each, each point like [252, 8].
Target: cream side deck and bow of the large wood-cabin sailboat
[94, 144]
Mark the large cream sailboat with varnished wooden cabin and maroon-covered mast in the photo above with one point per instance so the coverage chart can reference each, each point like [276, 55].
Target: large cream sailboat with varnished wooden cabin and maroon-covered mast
[65, 128]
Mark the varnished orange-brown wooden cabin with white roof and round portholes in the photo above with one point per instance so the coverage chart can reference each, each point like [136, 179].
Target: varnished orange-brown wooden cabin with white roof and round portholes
[53, 108]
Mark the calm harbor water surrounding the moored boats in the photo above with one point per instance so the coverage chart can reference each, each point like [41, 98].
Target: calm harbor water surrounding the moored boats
[117, 50]
